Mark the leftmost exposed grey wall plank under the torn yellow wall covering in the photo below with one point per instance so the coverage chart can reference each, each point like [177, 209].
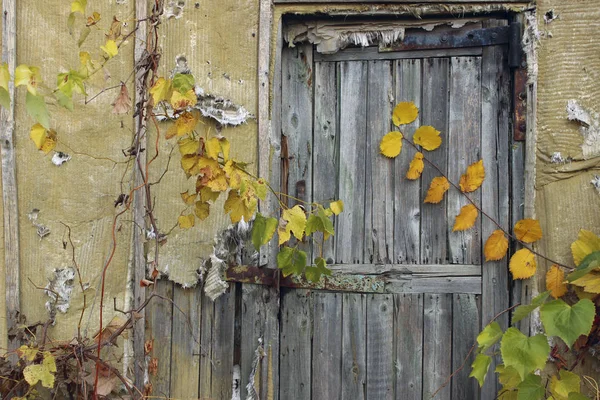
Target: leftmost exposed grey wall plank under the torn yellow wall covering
[159, 314]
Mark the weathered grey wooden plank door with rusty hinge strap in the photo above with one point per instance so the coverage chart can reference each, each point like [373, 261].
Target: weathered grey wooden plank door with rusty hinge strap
[409, 296]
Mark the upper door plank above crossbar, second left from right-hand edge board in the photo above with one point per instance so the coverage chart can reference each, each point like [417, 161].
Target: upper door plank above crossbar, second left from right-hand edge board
[434, 111]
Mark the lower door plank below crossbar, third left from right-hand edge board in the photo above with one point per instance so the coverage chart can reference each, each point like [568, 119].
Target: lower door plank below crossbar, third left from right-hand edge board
[408, 346]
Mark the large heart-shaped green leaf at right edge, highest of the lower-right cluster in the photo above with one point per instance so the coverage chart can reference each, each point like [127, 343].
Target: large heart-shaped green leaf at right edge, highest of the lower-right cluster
[566, 322]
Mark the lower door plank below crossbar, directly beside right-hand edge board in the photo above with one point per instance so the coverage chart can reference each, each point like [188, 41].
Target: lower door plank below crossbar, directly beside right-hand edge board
[465, 329]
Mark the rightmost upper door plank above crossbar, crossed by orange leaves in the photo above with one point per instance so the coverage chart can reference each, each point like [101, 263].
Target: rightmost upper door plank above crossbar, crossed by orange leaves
[464, 141]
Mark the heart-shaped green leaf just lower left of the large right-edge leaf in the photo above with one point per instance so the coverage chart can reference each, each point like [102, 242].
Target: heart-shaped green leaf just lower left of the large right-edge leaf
[524, 354]
